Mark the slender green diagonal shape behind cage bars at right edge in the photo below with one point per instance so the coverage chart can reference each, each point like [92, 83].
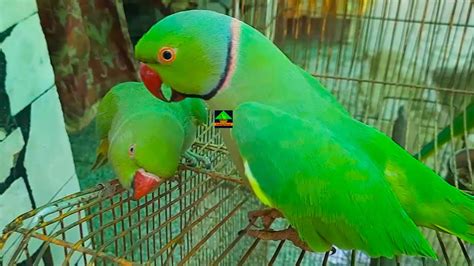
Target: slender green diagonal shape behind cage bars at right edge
[461, 123]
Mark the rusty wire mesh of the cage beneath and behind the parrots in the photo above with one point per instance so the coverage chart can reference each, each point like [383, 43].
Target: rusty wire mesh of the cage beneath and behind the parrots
[405, 67]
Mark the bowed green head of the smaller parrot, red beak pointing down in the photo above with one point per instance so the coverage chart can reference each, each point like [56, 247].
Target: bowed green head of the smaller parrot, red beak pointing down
[145, 151]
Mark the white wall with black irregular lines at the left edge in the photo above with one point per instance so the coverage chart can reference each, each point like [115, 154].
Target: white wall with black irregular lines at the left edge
[30, 91]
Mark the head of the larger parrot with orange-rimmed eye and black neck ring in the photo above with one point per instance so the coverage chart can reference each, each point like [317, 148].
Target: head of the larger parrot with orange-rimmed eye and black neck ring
[191, 51]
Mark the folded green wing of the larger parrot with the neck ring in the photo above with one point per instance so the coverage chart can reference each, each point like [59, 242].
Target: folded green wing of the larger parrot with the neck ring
[331, 192]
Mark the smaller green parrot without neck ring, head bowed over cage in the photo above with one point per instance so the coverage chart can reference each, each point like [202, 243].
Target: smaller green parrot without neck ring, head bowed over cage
[144, 138]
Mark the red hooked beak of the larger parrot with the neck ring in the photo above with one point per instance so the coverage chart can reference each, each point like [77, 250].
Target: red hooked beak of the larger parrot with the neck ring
[153, 83]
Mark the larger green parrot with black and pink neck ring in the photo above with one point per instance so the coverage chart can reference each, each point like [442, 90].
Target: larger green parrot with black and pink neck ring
[336, 180]
